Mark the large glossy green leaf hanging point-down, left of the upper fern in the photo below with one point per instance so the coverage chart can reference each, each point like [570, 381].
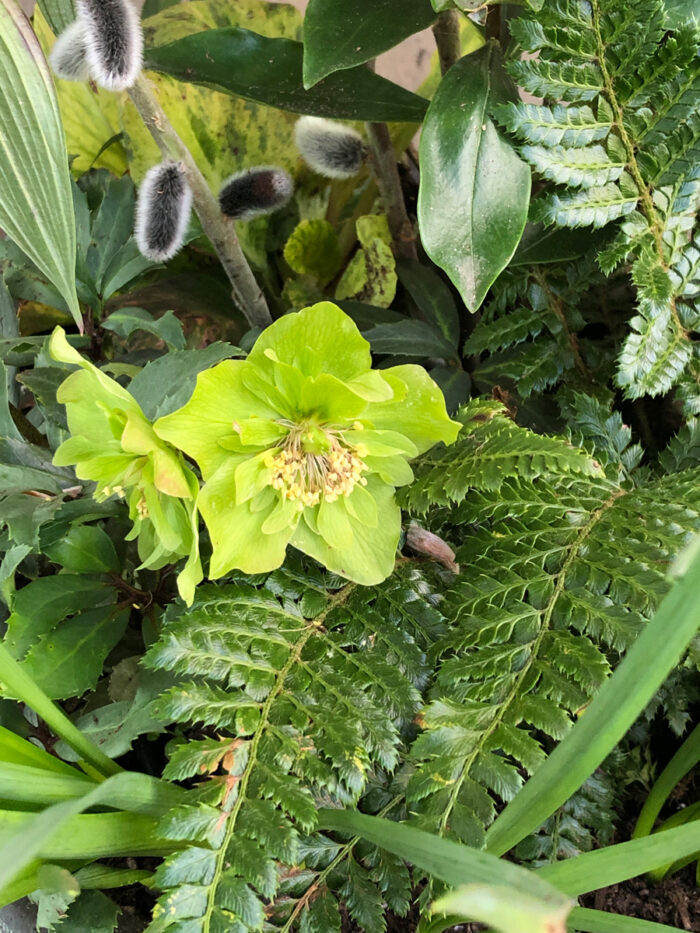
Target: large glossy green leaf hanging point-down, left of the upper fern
[475, 190]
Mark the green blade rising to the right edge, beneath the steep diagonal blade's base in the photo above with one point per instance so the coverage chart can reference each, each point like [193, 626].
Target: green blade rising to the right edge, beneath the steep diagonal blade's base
[603, 867]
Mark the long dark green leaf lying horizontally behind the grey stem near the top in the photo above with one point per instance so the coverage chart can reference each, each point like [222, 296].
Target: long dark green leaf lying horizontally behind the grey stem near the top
[269, 71]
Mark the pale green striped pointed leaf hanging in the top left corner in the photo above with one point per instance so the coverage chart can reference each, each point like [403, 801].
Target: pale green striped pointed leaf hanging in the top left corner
[36, 205]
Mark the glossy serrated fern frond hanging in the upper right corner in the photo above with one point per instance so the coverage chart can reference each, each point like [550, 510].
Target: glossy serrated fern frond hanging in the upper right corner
[617, 139]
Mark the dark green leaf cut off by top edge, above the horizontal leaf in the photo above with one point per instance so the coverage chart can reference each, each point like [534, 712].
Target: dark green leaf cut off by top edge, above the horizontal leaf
[338, 35]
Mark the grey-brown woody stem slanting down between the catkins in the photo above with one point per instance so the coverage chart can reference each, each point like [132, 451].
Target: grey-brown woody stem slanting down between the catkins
[247, 294]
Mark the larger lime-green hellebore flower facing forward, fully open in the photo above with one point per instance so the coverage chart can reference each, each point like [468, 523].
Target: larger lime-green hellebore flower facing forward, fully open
[304, 443]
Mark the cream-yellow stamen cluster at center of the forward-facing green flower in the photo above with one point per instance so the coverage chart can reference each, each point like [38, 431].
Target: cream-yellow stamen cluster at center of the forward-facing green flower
[313, 465]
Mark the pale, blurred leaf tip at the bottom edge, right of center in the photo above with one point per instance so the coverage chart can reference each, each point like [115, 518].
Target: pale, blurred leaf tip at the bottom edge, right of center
[496, 906]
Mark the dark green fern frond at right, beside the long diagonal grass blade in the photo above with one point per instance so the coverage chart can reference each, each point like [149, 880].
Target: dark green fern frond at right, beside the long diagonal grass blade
[563, 572]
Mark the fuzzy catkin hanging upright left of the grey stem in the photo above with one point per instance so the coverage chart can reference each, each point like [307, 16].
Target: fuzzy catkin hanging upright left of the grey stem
[163, 211]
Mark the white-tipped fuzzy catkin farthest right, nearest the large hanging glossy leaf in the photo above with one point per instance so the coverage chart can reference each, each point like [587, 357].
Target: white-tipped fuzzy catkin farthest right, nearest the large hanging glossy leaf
[329, 148]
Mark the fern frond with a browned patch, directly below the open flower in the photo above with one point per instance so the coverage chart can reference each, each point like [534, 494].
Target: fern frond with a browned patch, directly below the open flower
[301, 693]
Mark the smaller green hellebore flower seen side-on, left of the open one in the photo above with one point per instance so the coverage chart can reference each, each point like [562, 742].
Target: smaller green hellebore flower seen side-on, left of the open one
[113, 444]
